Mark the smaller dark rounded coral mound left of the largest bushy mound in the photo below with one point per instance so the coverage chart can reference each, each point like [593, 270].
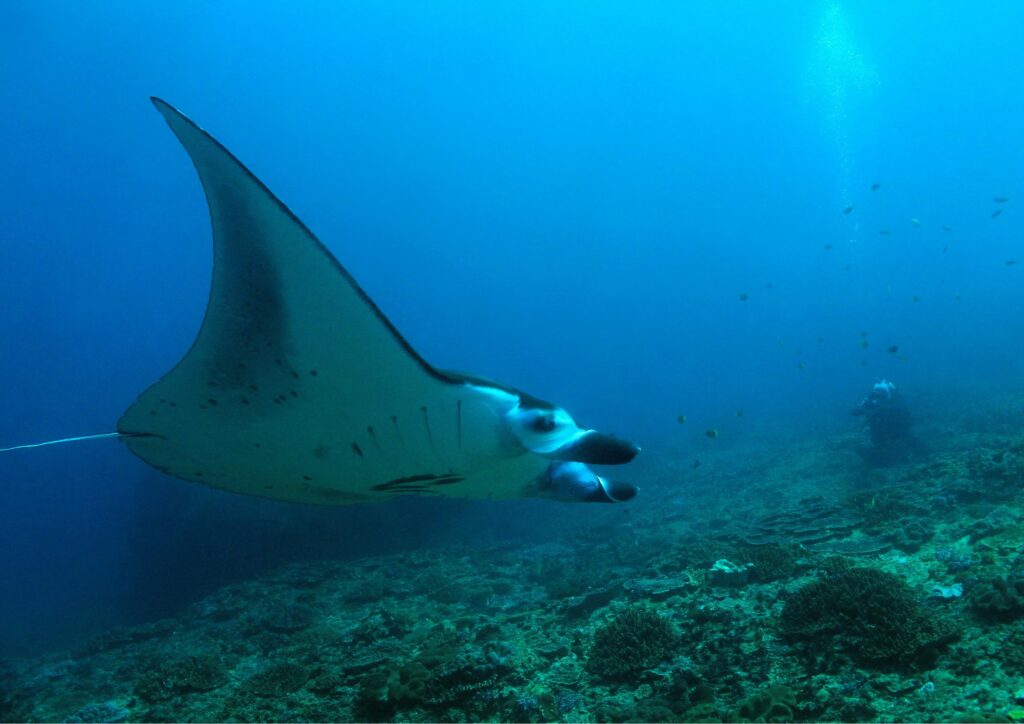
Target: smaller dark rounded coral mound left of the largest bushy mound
[637, 638]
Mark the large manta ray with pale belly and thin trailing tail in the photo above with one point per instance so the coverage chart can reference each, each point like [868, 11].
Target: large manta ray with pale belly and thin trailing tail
[298, 388]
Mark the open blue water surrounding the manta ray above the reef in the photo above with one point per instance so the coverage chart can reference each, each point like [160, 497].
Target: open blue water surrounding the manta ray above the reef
[570, 198]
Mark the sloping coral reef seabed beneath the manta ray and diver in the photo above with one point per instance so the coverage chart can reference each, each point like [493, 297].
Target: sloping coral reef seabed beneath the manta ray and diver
[893, 595]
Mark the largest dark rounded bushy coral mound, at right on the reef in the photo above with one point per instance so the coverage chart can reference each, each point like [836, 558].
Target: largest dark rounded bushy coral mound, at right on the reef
[872, 616]
